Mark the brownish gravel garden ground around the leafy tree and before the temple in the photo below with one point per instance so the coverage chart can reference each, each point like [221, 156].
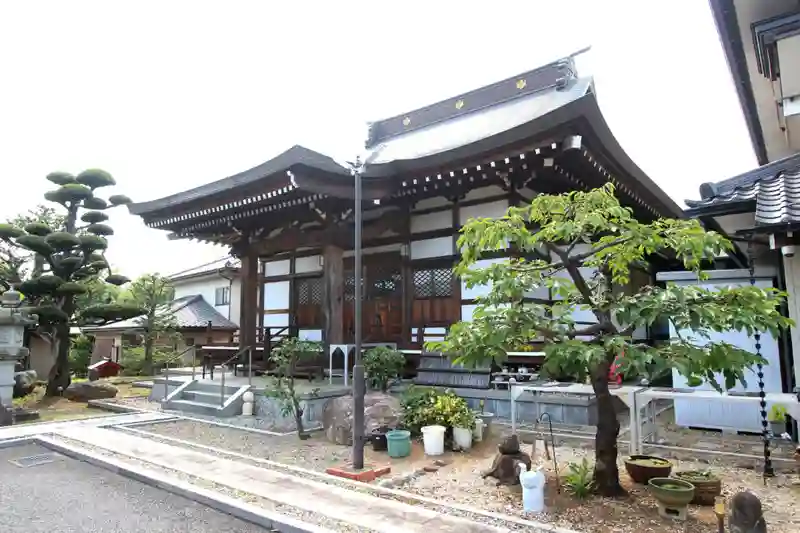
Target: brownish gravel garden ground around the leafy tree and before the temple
[460, 483]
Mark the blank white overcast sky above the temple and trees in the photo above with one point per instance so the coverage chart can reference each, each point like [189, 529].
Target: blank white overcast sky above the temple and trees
[170, 95]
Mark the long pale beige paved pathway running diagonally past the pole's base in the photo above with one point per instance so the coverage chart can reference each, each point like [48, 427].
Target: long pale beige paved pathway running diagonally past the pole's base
[376, 514]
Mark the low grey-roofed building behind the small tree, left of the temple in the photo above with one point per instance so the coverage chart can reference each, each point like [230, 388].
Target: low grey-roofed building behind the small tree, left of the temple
[198, 322]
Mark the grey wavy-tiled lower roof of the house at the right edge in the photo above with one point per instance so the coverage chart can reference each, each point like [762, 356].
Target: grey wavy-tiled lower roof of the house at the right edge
[774, 190]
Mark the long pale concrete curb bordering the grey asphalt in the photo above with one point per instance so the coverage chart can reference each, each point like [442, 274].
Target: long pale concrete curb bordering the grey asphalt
[219, 502]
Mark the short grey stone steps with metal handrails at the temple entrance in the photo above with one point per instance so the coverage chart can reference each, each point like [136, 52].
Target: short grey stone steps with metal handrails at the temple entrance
[206, 398]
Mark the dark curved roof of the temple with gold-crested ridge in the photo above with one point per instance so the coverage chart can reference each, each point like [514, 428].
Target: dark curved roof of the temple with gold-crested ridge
[500, 116]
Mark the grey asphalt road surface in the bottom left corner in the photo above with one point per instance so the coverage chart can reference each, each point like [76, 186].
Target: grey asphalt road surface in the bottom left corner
[69, 496]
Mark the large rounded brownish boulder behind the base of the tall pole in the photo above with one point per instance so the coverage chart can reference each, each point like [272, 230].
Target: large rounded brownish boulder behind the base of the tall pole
[379, 410]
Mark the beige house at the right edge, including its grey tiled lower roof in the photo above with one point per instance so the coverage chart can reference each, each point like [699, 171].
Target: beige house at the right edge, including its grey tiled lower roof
[760, 209]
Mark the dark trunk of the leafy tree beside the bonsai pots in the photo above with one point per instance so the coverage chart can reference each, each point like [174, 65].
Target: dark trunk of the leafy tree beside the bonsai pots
[606, 470]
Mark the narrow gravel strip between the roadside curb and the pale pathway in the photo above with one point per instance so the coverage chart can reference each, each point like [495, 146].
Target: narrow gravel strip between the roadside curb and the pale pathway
[288, 510]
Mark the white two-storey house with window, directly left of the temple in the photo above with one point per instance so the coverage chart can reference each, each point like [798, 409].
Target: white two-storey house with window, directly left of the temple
[218, 283]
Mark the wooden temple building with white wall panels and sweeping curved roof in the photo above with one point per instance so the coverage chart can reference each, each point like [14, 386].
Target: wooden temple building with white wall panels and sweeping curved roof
[289, 221]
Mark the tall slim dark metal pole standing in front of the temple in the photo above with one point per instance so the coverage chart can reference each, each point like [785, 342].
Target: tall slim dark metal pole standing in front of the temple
[359, 383]
